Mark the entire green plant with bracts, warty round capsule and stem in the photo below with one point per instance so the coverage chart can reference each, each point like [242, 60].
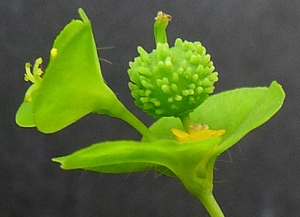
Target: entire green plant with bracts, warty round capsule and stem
[170, 83]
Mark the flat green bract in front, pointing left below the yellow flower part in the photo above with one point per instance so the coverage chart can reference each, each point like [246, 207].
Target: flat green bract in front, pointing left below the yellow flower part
[132, 156]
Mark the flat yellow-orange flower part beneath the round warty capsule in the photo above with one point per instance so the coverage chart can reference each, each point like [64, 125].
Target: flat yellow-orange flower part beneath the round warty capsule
[196, 132]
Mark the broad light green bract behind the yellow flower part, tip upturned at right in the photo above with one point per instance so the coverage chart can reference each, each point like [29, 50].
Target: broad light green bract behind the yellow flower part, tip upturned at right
[237, 112]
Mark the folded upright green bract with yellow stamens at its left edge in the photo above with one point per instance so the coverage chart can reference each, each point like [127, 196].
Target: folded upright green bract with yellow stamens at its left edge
[72, 85]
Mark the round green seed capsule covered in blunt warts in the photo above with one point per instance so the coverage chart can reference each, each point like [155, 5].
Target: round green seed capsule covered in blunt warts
[172, 81]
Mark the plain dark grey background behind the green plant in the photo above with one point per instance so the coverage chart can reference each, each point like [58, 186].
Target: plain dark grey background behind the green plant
[251, 43]
